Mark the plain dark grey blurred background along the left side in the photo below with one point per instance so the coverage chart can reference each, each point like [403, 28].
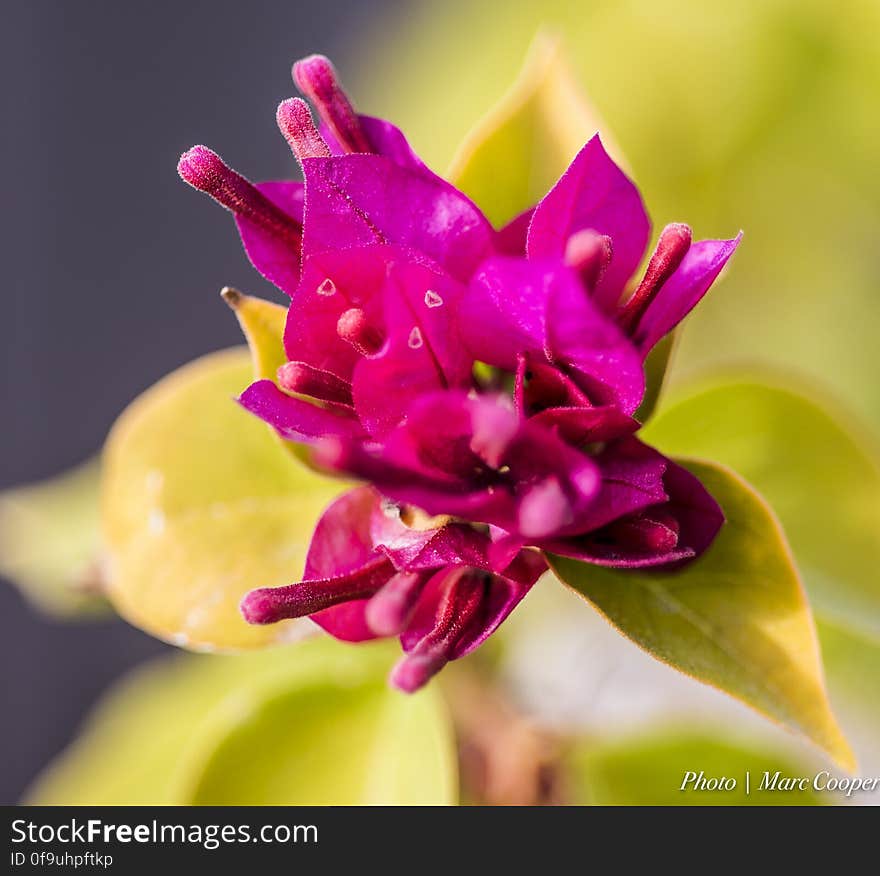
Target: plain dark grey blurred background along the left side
[112, 265]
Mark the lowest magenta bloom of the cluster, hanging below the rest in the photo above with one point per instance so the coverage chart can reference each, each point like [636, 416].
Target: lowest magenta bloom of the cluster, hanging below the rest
[369, 574]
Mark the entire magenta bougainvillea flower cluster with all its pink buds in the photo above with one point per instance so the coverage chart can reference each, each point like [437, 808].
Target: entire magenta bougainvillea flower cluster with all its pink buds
[399, 288]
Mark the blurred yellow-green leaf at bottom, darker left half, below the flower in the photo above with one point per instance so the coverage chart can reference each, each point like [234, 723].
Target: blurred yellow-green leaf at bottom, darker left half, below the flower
[328, 744]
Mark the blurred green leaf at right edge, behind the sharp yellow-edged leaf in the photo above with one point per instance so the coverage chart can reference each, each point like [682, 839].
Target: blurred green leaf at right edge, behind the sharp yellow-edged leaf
[816, 470]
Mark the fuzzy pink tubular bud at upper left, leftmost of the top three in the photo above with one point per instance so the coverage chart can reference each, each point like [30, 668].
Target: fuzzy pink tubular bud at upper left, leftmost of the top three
[204, 170]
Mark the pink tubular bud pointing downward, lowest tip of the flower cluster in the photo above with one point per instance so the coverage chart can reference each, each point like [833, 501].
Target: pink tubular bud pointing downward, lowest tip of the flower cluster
[458, 607]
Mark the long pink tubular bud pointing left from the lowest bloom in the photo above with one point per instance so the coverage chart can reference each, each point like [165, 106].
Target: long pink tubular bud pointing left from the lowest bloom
[271, 604]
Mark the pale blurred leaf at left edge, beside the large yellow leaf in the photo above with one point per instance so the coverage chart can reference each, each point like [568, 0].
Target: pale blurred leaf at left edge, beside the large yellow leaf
[50, 541]
